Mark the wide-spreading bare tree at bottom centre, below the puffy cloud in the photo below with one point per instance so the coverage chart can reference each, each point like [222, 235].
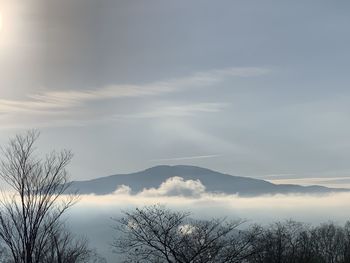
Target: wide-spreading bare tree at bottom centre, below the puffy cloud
[156, 234]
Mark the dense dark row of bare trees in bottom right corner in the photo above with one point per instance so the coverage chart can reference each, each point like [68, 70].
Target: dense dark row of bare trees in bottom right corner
[294, 242]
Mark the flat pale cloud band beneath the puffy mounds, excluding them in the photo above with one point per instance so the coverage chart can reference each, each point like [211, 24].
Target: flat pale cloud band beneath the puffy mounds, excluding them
[263, 209]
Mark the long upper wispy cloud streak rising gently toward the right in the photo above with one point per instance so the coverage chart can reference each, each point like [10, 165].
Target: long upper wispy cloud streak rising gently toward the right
[49, 100]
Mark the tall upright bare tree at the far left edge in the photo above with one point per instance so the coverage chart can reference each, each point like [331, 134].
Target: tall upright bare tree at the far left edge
[35, 200]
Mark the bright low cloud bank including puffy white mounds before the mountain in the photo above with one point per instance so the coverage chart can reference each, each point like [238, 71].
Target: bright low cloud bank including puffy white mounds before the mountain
[191, 195]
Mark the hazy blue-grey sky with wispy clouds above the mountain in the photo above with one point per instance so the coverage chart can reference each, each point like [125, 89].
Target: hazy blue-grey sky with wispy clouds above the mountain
[250, 88]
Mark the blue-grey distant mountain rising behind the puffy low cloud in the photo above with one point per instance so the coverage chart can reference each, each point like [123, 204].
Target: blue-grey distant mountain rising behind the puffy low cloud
[213, 181]
